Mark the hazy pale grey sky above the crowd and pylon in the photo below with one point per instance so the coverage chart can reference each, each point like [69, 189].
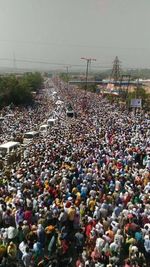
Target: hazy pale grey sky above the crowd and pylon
[63, 31]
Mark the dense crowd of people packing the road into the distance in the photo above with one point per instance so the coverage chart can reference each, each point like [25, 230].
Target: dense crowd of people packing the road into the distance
[80, 192]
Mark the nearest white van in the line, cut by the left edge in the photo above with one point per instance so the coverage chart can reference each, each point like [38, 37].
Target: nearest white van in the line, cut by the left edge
[7, 148]
